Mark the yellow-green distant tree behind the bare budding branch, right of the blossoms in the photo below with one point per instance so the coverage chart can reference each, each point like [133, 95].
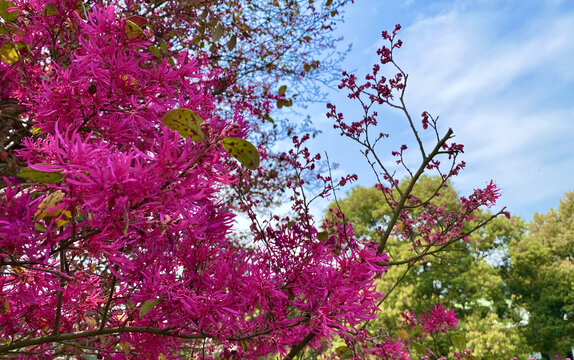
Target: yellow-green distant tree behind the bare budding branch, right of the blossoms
[462, 276]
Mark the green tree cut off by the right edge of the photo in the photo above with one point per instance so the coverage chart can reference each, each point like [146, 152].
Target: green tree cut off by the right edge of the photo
[541, 277]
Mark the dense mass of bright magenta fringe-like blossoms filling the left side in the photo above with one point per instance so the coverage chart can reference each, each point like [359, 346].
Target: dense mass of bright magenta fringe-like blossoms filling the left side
[129, 254]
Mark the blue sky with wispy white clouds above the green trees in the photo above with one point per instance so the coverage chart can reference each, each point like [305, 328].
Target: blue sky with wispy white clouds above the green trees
[500, 73]
